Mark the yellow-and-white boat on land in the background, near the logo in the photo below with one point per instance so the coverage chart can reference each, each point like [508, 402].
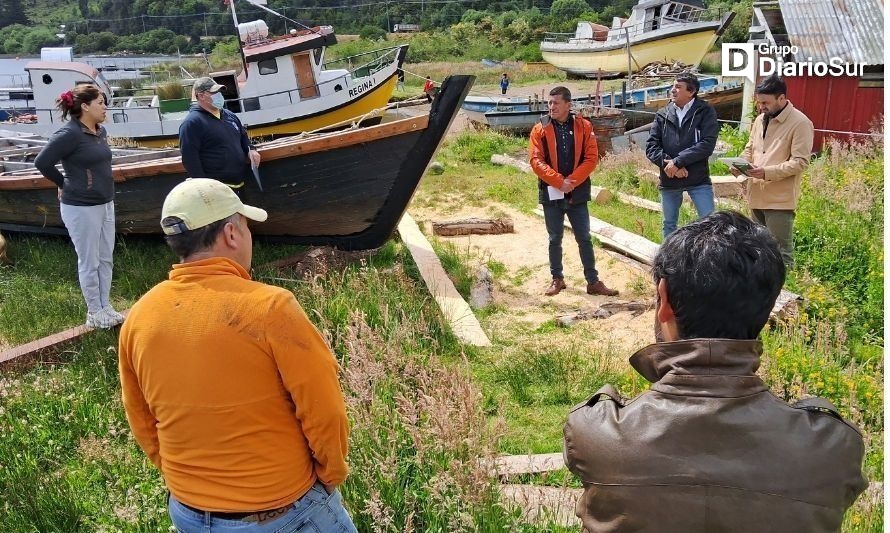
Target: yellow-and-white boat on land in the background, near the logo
[657, 30]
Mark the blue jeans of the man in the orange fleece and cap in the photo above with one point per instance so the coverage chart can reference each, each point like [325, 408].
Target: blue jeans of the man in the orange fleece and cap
[315, 511]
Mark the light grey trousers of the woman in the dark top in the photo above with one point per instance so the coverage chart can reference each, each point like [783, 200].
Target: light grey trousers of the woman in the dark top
[91, 228]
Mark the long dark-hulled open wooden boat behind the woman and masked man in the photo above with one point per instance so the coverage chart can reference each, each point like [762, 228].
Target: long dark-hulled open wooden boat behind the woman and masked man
[346, 189]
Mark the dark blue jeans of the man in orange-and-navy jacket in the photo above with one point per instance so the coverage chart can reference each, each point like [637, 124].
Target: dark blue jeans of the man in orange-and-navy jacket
[554, 215]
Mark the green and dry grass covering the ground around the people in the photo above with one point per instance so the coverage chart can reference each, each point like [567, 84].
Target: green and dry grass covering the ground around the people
[423, 408]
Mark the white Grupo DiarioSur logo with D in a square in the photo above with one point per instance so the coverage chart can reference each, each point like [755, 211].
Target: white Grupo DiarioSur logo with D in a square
[750, 61]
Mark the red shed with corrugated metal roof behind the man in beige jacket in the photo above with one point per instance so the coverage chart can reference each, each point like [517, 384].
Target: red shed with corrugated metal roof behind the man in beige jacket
[814, 32]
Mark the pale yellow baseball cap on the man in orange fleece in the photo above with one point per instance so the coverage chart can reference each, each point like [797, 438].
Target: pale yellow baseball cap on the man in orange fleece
[197, 202]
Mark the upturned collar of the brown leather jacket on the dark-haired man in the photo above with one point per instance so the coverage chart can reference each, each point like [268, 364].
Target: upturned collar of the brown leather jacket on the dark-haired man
[702, 367]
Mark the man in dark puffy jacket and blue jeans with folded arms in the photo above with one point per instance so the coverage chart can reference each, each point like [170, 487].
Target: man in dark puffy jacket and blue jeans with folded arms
[681, 140]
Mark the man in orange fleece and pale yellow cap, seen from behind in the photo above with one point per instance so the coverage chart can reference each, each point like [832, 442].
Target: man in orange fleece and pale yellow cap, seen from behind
[228, 387]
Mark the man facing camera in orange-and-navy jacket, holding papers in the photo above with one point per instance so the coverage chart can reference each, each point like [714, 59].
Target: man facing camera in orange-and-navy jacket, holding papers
[563, 152]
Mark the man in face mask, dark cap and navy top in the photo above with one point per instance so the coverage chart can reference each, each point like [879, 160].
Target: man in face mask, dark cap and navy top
[213, 142]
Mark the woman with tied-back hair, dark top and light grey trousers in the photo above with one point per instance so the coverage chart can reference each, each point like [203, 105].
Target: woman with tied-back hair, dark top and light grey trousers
[86, 195]
